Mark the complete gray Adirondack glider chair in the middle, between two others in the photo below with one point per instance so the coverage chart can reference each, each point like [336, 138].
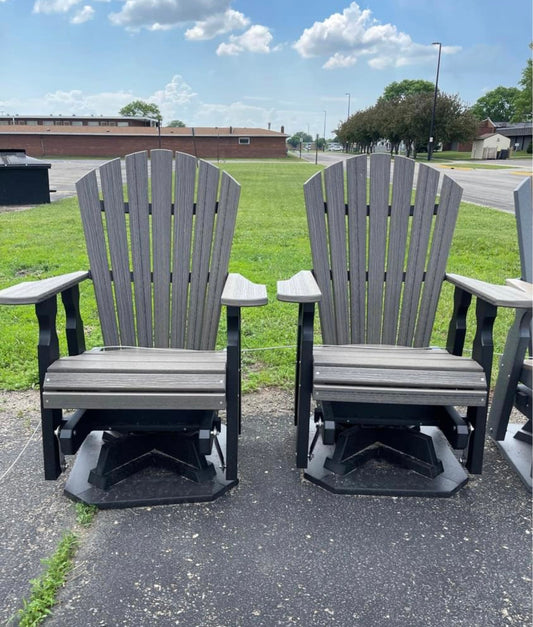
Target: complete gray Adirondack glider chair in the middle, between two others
[384, 398]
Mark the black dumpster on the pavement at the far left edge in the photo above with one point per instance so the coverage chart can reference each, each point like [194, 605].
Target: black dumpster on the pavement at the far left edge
[23, 179]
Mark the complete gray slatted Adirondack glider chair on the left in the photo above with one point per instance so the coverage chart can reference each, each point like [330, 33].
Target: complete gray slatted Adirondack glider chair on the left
[148, 402]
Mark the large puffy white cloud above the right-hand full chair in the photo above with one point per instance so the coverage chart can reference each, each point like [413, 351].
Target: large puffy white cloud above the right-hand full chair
[344, 37]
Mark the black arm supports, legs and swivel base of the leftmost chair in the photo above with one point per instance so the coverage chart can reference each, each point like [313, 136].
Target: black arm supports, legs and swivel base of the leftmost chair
[127, 441]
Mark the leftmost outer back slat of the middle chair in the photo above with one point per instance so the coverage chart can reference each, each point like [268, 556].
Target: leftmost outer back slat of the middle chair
[316, 220]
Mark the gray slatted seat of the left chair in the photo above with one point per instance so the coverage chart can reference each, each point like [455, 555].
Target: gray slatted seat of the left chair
[138, 379]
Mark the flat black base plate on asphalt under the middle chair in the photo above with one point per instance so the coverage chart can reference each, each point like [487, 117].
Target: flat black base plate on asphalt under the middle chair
[388, 474]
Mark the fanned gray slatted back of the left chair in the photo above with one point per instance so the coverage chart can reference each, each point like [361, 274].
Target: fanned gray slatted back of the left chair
[159, 259]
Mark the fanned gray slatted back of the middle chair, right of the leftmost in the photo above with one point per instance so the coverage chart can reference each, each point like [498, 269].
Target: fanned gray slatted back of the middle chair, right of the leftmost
[380, 260]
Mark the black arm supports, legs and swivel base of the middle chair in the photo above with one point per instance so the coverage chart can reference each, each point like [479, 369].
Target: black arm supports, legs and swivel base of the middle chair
[400, 429]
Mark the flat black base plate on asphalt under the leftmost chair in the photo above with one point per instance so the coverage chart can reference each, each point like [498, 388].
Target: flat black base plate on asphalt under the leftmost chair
[152, 479]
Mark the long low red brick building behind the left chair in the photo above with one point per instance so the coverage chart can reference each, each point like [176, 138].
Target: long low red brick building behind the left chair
[39, 140]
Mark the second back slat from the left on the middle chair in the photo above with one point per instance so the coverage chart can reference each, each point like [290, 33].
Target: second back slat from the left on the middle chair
[336, 219]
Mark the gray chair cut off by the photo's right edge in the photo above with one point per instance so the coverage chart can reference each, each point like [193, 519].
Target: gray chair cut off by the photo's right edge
[514, 382]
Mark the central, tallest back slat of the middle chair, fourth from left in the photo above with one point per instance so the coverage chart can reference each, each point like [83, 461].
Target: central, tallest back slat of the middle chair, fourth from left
[378, 217]
